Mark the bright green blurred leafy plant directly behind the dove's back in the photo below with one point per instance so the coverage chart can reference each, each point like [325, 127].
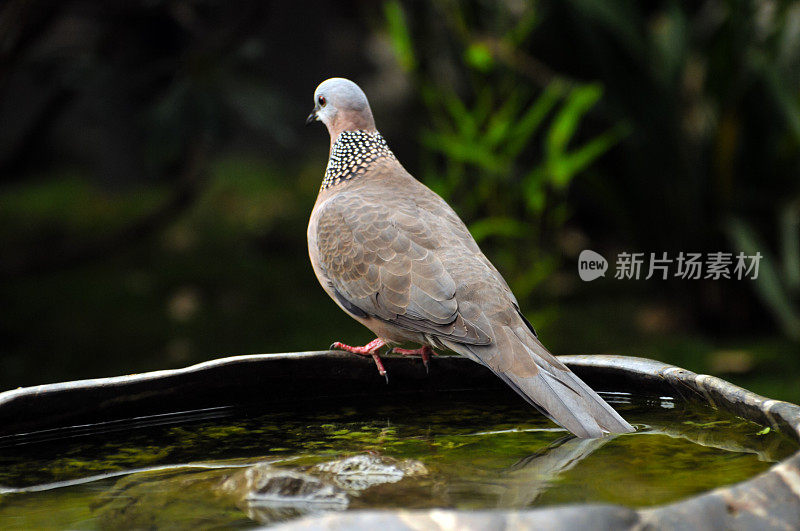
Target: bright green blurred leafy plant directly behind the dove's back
[501, 144]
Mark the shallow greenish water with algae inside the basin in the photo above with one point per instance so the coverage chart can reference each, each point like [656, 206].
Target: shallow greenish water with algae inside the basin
[477, 450]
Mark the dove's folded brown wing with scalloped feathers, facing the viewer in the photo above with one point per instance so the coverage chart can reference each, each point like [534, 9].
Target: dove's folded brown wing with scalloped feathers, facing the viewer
[379, 258]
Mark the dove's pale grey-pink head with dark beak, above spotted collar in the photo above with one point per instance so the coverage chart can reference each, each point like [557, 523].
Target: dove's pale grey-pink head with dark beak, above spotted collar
[342, 106]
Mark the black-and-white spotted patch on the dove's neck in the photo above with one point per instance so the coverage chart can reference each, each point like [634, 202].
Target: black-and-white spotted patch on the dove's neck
[352, 154]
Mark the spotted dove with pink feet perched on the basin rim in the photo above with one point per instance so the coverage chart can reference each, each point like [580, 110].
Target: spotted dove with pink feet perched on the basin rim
[397, 258]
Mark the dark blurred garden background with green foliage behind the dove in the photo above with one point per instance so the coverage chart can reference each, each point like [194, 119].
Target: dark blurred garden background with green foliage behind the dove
[156, 177]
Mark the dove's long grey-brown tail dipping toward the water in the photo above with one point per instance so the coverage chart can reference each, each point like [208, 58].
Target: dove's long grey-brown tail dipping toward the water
[520, 360]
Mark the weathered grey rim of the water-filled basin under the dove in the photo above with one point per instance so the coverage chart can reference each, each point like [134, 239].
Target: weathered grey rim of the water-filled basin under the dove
[770, 500]
